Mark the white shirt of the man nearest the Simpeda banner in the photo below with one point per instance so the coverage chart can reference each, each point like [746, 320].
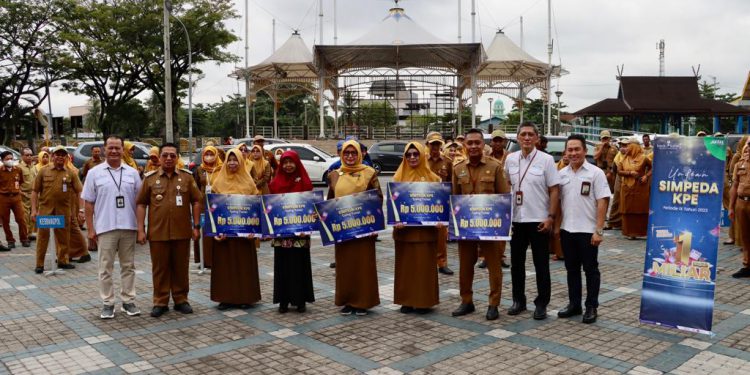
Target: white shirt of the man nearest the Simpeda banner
[579, 210]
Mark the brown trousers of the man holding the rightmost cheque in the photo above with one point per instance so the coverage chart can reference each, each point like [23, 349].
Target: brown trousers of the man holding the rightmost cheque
[468, 252]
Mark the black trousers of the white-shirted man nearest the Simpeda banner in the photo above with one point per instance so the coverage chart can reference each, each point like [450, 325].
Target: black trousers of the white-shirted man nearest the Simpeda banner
[578, 252]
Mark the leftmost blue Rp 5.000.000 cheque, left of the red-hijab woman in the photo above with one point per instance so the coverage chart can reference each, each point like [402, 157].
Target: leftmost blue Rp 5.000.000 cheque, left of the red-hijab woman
[232, 215]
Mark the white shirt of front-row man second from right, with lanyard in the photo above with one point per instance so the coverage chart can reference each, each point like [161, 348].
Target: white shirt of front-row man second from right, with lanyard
[540, 175]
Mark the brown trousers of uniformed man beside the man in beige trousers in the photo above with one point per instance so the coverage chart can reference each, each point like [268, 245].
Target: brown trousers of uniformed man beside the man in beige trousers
[170, 262]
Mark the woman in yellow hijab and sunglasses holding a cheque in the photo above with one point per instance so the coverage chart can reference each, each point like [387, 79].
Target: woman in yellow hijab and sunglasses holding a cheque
[416, 284]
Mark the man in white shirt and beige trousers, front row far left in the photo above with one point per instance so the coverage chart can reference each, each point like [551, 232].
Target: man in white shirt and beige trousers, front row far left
[109, 194]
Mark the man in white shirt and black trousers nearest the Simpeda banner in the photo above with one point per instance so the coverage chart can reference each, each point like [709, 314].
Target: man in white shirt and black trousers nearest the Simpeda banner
[585, 197]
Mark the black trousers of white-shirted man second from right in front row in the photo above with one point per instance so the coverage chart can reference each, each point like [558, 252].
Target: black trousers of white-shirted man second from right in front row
[523, 235]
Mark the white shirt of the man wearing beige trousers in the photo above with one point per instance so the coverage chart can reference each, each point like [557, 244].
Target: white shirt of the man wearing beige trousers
[101, 188]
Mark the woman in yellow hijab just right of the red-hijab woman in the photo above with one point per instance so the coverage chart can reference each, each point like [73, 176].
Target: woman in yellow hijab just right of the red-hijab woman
[356, 271]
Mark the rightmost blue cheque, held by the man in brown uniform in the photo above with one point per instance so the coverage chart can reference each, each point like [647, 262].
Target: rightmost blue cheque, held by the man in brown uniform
[480, 217]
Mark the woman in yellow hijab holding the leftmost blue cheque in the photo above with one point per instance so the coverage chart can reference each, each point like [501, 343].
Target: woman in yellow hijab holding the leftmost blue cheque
[234, 273]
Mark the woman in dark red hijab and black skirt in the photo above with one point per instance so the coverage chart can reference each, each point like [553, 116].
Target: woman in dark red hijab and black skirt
[292, 271]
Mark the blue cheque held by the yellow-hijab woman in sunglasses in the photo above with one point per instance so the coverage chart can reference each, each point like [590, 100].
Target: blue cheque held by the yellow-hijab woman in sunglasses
[418, 203]
